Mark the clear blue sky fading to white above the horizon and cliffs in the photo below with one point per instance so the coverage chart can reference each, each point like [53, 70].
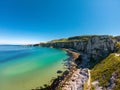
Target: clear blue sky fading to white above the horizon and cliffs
[34, 21]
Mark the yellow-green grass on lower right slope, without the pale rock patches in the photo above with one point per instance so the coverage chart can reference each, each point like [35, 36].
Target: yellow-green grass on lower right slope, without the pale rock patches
[104, 70]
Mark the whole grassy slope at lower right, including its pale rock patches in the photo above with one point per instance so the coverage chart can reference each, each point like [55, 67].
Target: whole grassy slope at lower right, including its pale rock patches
[106, 74]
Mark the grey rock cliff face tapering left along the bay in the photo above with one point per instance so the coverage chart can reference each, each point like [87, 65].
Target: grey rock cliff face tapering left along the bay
[96, 47]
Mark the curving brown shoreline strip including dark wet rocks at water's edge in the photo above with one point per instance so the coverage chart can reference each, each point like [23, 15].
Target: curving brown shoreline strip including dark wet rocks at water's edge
[62, 78]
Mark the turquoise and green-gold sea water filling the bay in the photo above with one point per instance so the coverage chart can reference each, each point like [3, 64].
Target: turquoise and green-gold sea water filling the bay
[24, 68]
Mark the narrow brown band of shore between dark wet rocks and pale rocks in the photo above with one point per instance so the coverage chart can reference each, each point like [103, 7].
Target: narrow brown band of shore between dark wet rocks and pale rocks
[72, 67]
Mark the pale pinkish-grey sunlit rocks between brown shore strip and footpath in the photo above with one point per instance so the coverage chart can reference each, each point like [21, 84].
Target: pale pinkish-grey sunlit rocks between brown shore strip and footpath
[77, 80]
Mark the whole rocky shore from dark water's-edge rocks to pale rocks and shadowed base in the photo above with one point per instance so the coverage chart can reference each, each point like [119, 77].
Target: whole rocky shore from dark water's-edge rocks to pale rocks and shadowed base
[75, 77]
